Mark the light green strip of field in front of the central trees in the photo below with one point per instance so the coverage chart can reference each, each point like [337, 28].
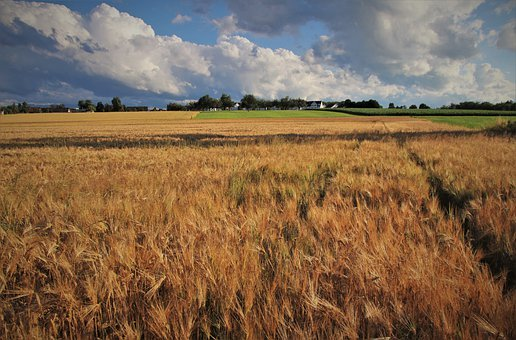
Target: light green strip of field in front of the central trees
[269, 114]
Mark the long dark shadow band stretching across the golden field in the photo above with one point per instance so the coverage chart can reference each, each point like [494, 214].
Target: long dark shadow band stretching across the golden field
[214, 140]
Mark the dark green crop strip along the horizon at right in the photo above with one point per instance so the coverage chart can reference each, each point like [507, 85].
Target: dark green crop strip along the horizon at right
[424, 112]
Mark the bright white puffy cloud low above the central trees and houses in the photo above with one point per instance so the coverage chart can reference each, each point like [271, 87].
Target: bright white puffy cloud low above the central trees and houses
[248, 68]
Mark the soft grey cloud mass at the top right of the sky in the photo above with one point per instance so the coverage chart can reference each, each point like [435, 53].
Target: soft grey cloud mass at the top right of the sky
[376, 34]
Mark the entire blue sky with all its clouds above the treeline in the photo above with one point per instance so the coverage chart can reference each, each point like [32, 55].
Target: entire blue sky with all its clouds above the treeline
[155, 52]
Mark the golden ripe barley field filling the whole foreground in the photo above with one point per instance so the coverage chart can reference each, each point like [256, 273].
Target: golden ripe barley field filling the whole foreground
[164, 226]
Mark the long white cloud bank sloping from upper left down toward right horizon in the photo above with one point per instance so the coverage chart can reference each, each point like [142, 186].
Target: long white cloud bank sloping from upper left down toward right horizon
[126, 50]
